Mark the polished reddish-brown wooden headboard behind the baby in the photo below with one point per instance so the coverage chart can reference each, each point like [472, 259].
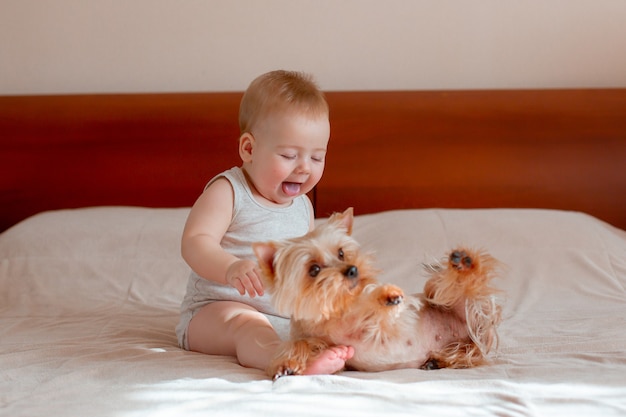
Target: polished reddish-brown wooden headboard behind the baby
[563, 149]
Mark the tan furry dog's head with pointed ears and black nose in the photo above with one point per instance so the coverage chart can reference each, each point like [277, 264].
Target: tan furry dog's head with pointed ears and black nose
[316, 276]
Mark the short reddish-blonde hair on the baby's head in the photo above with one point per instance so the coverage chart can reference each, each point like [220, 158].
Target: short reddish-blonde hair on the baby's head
[277, 91]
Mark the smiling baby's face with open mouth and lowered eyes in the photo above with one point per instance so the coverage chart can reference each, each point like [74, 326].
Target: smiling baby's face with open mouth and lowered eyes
[288, 156]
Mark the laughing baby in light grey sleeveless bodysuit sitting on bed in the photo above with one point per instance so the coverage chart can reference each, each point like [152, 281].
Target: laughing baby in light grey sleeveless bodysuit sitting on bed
[284, 125]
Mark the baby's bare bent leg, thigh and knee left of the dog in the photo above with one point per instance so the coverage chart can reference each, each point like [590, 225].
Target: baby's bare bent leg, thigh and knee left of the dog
[234, 329]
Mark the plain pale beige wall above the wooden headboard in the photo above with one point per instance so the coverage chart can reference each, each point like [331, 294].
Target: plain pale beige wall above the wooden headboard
[69, 46]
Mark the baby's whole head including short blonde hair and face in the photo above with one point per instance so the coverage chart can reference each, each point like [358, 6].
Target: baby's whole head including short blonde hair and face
[283, 118]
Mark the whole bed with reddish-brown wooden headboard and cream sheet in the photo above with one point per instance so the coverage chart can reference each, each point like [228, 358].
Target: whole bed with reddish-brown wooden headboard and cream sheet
[96, 189]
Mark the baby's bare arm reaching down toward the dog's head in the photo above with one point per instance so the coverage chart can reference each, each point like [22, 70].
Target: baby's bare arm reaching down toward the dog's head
[207, 223]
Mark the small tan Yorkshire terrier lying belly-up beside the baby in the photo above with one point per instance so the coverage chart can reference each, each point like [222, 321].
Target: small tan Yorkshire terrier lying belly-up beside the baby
[329, 289]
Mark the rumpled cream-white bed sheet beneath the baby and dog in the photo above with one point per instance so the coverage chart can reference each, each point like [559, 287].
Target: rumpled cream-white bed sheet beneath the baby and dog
[90, 299]
